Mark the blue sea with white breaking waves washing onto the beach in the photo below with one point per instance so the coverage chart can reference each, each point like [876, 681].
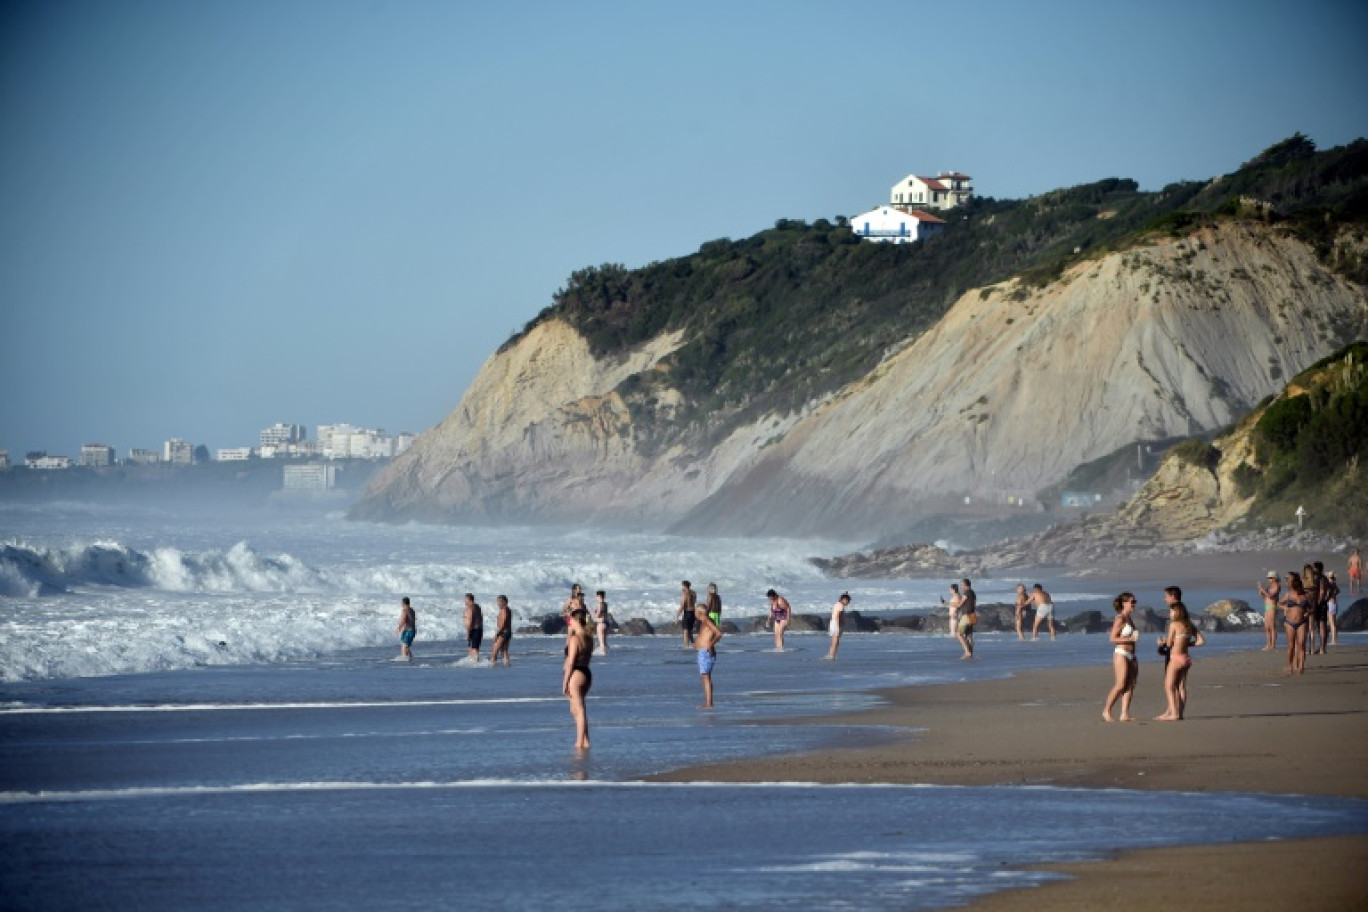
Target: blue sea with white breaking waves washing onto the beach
[207, 712]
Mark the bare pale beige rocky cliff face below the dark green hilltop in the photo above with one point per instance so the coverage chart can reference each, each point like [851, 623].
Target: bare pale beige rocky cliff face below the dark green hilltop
[1012, 390]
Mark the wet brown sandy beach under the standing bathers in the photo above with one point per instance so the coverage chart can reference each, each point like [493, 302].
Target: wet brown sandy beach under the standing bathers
[1250, 728]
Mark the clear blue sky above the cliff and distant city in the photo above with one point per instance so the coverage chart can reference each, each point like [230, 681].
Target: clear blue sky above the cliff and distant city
[220, 215]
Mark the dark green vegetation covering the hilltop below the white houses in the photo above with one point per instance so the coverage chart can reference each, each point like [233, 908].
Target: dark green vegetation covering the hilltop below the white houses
[780, 319]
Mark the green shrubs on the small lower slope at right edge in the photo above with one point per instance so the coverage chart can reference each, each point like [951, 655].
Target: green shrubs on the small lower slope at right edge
[1311, 446]
